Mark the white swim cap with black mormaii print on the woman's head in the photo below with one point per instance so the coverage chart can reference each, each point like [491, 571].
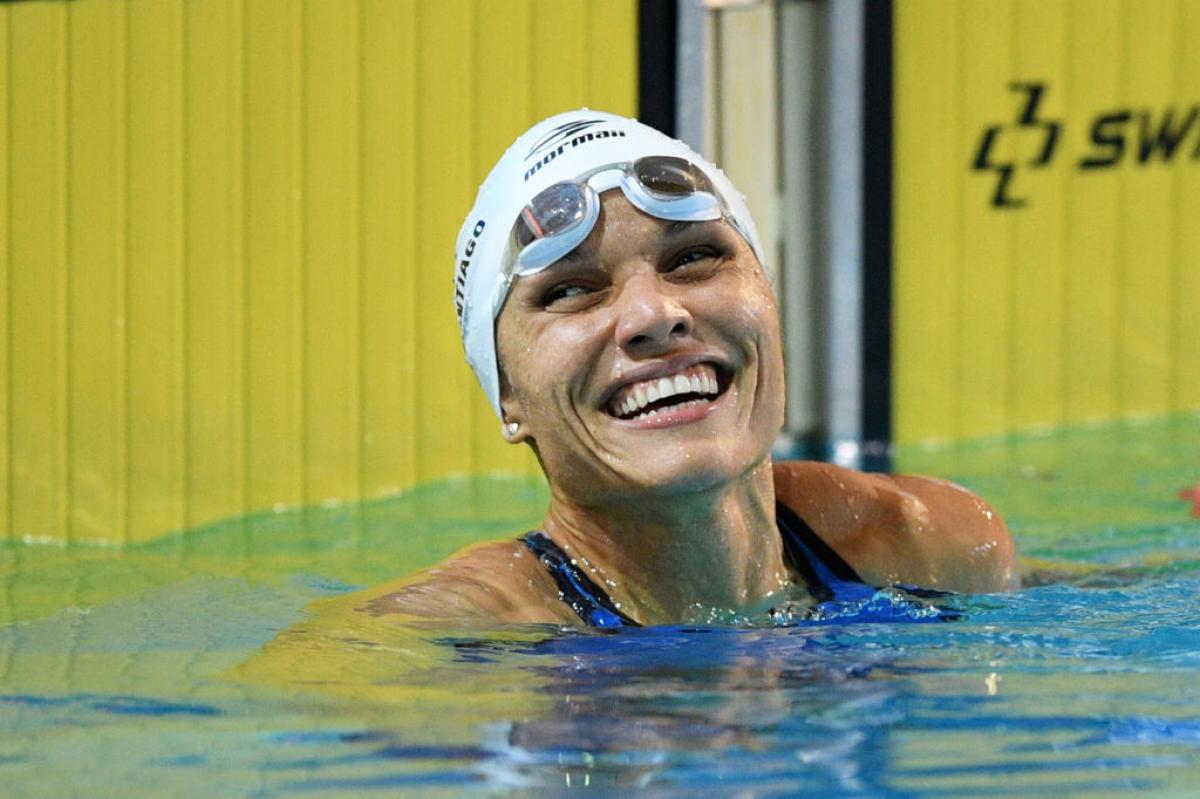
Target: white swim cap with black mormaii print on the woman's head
[557, 149]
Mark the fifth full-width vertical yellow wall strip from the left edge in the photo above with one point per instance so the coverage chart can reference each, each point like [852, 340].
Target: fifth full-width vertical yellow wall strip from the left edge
[273, 153]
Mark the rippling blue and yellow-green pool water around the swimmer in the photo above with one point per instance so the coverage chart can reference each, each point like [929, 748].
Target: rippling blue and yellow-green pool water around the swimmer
[212, 663]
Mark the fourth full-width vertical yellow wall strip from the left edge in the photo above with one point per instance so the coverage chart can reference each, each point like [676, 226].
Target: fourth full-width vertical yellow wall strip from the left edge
[215, 267]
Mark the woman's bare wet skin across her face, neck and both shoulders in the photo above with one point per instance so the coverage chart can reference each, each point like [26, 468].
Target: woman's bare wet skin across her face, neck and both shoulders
[673, 513]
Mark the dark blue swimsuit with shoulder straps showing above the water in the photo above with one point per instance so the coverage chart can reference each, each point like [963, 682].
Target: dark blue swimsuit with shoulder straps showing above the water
[827, 578]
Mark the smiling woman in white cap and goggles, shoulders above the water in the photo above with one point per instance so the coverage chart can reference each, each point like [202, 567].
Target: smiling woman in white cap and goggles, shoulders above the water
[614, 307]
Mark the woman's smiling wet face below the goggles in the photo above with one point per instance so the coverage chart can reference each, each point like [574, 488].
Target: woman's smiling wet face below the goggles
[649, 358]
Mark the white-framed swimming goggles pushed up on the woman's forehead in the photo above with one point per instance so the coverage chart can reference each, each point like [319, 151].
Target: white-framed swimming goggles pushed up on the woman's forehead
[561, 217]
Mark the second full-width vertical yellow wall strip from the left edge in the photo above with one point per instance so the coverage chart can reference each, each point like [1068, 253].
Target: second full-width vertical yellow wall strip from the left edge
[97, 248]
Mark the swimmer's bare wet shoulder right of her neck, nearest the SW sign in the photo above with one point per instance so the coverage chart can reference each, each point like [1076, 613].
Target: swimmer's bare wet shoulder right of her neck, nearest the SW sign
[903, 528]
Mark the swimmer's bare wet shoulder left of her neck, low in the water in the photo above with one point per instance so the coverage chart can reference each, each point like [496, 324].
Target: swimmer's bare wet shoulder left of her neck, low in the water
[499, 581]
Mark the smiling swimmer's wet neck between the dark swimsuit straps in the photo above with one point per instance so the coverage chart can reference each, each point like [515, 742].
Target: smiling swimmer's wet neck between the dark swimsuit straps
[683, 557]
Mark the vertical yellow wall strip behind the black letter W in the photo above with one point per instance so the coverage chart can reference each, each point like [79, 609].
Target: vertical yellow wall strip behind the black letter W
[1147, 213]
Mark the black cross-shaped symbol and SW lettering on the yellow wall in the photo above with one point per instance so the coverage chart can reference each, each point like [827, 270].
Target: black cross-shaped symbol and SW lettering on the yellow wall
[1142, 135]
